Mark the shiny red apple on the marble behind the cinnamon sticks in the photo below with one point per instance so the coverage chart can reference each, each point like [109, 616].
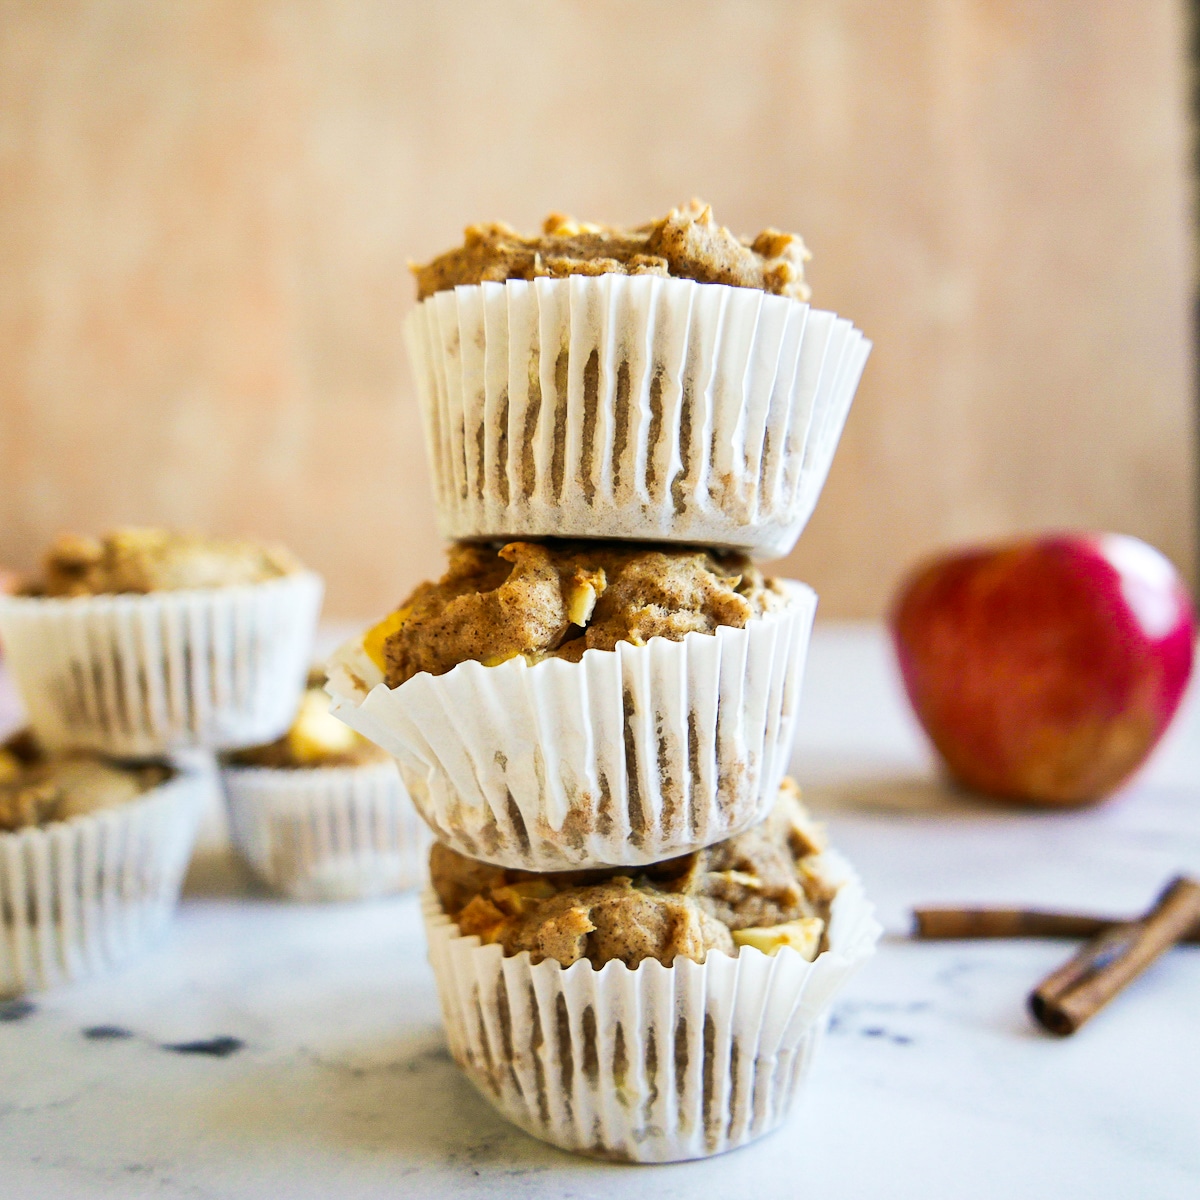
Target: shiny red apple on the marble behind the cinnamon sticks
[1046, 670]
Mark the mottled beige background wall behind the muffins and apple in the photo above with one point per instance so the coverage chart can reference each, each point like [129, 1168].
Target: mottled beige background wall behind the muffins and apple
[206, 211]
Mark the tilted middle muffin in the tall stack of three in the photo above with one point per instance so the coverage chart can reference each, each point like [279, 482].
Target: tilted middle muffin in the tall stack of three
[557, 705]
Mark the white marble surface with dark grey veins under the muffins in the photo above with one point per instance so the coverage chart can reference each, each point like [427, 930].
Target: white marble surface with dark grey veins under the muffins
[933, 1085]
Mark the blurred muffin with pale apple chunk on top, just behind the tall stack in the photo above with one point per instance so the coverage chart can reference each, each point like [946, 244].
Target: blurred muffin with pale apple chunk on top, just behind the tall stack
[321, 813]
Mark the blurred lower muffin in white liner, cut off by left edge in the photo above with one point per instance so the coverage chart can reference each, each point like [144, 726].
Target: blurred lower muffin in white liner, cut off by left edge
[93, 855]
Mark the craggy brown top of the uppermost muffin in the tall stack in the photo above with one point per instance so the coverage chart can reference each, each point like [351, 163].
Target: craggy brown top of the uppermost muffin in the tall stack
[687, 244]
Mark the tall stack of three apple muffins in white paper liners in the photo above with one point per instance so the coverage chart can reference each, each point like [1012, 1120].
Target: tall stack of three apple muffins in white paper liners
[635, 928]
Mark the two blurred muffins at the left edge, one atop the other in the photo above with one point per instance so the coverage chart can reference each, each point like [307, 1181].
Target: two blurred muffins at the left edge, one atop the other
[136, 657]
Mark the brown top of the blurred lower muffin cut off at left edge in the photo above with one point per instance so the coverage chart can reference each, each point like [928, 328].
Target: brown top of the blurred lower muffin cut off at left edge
[37, 789]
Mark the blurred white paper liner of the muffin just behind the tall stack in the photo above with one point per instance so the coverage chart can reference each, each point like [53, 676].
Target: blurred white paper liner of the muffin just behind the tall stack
[328, 833]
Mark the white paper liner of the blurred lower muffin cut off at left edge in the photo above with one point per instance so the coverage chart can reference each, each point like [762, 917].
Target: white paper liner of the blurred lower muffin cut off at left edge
[82, 896]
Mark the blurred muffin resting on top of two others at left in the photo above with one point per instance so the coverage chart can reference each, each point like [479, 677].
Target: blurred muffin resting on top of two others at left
[147, 643]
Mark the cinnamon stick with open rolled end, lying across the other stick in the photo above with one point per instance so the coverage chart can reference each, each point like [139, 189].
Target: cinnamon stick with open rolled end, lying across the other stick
[1082, 987]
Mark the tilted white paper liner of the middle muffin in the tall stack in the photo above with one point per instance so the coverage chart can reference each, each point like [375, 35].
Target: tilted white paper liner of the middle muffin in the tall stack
[629, 757]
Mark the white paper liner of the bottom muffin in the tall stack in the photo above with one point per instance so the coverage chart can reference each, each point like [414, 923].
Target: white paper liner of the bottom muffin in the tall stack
[651, 1065]
